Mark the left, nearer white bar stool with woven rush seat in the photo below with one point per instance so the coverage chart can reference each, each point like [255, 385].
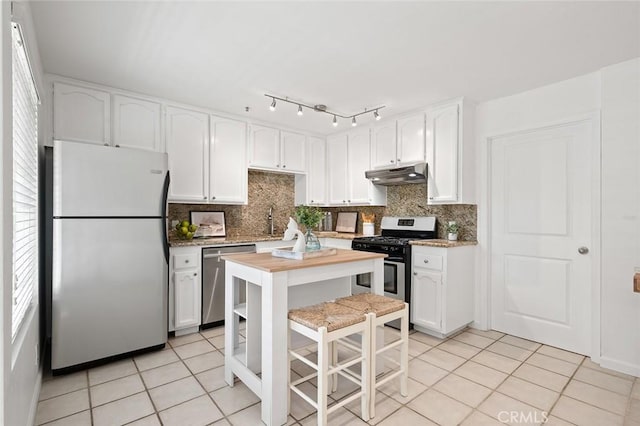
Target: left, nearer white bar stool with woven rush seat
[328, 324]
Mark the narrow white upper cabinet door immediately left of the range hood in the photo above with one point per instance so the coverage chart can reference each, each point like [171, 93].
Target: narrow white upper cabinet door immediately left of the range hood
[359, 161]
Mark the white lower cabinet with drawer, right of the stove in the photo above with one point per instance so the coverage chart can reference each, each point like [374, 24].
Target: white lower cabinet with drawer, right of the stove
[442, 289]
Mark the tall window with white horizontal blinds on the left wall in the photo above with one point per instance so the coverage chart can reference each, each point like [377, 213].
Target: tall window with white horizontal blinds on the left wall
[25, 182]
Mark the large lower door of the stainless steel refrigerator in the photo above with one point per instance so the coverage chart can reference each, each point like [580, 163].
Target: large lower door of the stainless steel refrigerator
[109, 292]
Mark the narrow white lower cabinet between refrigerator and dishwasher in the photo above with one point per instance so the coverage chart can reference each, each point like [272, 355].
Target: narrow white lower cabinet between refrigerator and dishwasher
[185, 287]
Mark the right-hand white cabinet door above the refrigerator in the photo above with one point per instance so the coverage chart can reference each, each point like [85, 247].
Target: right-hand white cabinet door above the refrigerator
[136, 123]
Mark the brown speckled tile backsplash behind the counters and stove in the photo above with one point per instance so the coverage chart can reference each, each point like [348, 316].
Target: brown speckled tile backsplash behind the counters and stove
[277, 190]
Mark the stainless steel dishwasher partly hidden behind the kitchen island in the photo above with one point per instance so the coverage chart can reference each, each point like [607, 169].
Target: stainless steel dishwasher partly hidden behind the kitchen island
[213, 282]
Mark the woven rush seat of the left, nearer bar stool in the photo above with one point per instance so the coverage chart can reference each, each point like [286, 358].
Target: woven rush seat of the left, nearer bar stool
[332, 315]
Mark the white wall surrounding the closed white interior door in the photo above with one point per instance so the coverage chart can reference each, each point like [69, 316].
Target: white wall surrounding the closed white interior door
[620, 337]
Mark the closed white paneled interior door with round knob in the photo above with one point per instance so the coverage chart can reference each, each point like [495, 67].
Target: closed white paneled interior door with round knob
[540, 224]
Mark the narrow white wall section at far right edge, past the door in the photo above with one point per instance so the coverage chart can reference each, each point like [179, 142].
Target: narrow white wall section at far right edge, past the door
[620, 216]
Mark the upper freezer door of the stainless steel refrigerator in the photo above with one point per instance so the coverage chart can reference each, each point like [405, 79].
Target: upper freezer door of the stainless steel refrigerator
[94, 180]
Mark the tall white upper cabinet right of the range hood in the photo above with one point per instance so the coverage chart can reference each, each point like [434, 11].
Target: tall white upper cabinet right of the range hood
[450, 153]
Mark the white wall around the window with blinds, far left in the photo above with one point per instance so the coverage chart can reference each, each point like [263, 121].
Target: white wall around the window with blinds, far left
[21, 374]
